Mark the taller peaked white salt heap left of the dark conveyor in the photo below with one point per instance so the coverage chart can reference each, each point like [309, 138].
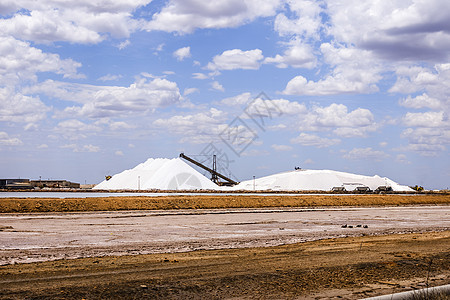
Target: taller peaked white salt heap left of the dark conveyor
[159, 174]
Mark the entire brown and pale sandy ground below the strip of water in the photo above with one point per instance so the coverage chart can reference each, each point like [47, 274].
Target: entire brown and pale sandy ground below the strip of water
[234, 257]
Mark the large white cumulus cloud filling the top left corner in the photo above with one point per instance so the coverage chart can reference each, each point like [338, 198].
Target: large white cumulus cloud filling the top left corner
[86, 22]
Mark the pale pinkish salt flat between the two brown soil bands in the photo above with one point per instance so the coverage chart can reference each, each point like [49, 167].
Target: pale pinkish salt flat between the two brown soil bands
[49, 236]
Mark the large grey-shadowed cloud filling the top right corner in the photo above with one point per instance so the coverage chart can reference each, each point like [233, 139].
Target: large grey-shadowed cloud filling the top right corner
[395, 30]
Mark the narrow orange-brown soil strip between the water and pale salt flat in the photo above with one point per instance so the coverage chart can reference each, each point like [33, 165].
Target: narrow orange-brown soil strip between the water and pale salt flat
[19, 205]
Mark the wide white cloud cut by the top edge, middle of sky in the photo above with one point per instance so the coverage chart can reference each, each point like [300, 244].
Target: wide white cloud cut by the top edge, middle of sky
[184, 16]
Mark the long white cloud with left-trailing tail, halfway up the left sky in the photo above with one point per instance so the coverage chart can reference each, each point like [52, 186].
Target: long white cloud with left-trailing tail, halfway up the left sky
[141, 97]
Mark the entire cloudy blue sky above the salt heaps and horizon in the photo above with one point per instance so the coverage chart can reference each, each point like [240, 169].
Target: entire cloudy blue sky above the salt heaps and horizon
[90, 88]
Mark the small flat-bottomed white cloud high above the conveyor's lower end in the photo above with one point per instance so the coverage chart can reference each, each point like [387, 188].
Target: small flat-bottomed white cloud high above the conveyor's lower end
[237, 59]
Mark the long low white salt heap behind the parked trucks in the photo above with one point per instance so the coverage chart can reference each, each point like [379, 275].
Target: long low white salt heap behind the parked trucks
[318, 180]
